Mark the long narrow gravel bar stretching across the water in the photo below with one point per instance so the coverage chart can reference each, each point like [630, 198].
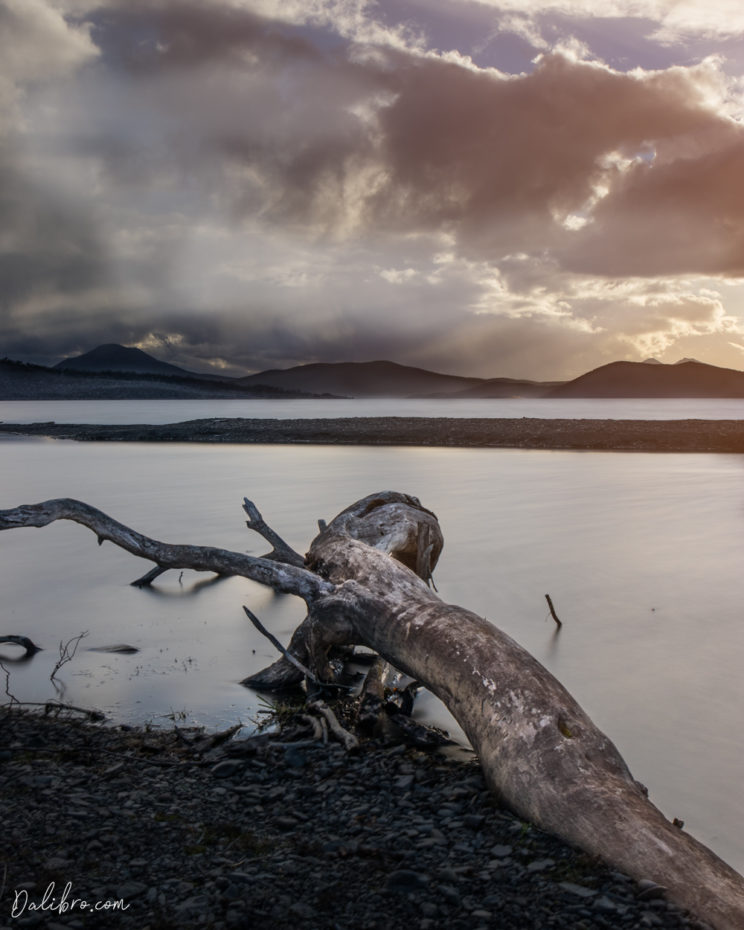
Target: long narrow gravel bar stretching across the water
[723, 436]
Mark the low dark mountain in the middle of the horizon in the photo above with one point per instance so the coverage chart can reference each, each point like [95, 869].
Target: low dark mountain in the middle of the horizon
[362, 379]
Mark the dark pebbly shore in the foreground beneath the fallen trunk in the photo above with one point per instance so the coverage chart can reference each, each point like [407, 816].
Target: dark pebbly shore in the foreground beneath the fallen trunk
[175, 829]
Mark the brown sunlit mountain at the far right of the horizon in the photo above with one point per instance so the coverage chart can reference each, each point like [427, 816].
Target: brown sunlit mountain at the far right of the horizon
[686, 378]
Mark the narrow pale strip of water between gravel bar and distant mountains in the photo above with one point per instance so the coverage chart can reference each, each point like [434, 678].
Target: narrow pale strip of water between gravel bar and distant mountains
[172, 411]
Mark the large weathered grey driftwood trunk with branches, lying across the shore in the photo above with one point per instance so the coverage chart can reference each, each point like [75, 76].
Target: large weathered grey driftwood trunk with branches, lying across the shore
[364, 581]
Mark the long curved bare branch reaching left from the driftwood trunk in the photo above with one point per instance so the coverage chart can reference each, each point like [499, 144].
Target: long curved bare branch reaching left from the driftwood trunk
[287, 579]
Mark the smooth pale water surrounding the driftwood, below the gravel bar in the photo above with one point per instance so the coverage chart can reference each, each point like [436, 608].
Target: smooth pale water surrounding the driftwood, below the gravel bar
[641, 554]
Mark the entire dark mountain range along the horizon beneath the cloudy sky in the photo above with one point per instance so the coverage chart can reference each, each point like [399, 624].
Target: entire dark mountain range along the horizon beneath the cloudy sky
[114, 371]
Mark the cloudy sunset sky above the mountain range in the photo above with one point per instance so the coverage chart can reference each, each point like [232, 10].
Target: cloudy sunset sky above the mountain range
[528, 188]
